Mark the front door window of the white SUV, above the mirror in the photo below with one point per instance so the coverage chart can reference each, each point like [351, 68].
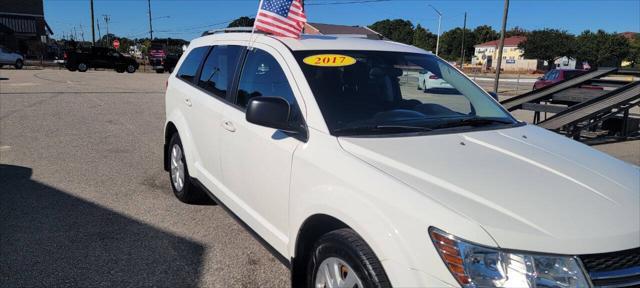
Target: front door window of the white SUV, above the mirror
[263, 76]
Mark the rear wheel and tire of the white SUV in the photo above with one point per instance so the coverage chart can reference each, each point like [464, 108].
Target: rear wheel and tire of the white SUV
[179, 176]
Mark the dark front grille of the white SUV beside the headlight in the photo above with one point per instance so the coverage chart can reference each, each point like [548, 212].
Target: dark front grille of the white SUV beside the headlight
[616, 269]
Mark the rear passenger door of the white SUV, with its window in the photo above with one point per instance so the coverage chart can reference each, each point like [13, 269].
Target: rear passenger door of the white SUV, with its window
[213, 83]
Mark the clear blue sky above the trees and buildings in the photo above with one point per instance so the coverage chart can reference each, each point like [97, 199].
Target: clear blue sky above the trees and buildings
[187, 19]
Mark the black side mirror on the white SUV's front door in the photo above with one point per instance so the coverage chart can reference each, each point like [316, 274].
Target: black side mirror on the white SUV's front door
[272, 112]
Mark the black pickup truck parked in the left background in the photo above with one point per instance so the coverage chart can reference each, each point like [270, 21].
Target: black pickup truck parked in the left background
[81, 59]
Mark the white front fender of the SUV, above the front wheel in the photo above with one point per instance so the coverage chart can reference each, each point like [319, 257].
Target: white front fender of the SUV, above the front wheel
[391, 217]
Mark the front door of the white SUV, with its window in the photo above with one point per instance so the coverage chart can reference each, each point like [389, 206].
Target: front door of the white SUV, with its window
[256, 160]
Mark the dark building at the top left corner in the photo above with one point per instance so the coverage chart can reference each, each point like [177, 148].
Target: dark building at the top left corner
[23, 27]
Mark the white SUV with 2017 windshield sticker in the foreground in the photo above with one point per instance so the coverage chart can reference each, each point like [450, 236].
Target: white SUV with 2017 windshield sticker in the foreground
[326, 150]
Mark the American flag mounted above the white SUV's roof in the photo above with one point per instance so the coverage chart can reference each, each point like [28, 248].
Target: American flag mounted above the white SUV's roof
[281, 17]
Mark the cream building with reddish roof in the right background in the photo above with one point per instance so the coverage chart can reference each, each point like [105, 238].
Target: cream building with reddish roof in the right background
[512, 56]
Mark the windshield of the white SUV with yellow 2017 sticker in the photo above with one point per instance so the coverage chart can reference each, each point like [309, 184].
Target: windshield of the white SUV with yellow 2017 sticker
[373, 92]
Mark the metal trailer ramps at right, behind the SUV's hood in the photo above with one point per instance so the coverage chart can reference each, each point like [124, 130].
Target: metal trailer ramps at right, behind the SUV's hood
[598, 106]
